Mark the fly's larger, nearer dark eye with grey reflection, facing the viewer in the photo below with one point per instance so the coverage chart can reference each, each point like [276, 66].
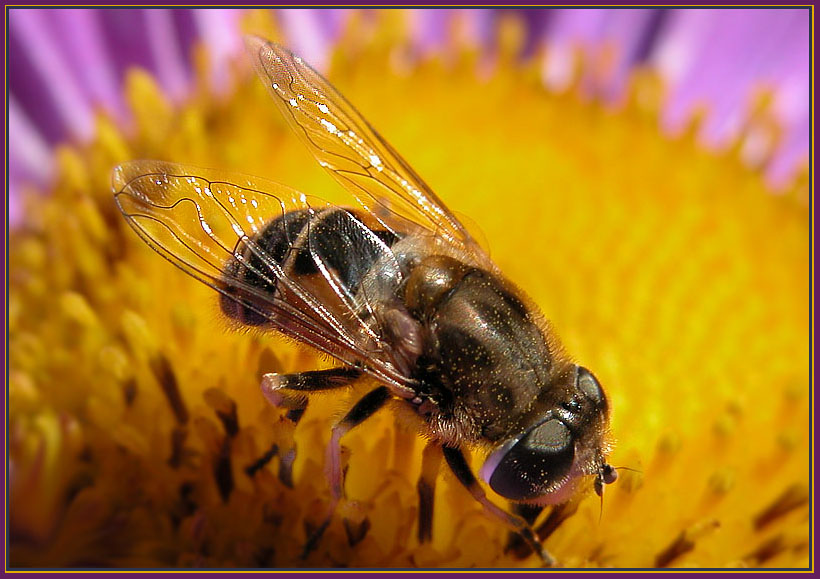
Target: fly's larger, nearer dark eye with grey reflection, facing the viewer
[534, 465]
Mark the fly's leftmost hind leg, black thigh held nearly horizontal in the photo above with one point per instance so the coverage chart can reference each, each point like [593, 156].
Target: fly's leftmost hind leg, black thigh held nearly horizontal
[289, 391]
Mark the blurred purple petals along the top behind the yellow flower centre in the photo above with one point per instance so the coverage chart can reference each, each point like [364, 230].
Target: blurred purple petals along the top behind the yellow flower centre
[719, 64]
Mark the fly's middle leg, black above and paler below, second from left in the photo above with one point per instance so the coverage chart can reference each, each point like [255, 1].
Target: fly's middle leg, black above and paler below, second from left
[363, 409]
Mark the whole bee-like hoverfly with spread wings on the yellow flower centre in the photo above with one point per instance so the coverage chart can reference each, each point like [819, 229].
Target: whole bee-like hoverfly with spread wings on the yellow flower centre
[396, 289]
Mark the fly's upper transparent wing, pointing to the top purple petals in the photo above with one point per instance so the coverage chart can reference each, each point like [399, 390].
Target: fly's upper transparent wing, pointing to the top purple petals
[353, 152]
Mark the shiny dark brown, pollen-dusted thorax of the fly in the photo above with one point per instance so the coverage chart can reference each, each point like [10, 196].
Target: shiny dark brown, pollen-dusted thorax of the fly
[486, 363]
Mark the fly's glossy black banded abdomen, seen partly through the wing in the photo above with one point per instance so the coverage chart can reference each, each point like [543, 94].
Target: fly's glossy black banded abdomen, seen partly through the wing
[304, 244]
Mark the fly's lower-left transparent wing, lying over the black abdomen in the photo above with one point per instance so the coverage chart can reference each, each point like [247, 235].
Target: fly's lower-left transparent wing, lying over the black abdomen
[216, 226]
